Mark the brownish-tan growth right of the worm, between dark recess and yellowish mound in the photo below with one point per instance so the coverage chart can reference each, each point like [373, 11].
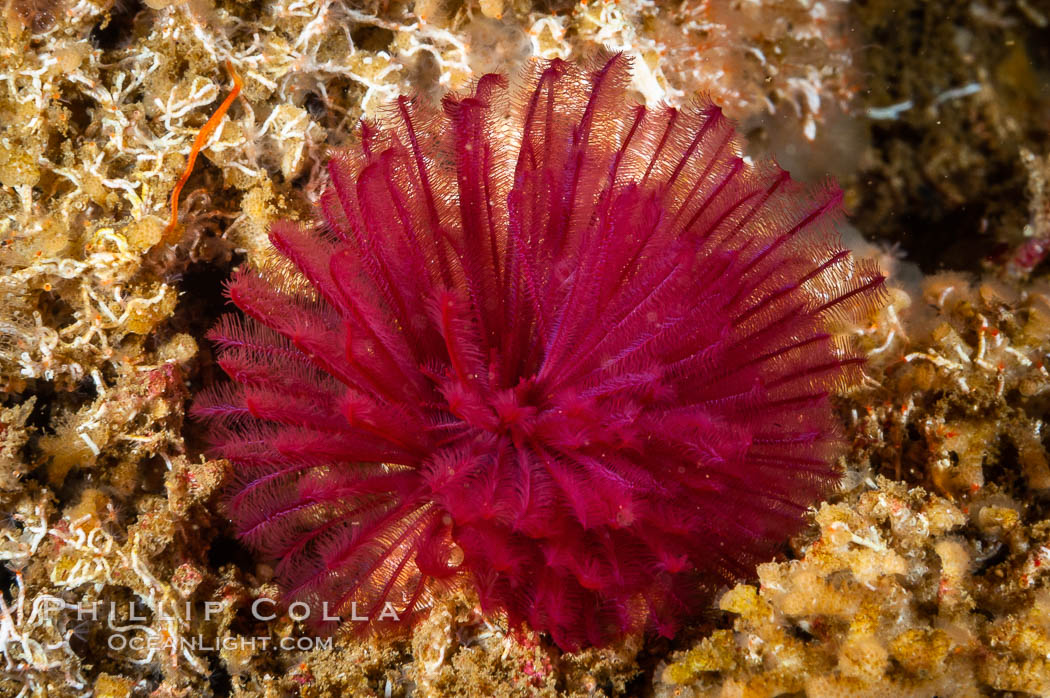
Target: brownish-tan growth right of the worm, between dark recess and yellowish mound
[959, 390]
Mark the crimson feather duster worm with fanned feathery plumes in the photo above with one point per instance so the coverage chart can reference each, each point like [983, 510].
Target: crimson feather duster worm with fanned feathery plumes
[573, 350]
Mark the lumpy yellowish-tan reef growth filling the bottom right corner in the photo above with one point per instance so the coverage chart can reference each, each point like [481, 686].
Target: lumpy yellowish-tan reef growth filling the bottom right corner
[896, 597]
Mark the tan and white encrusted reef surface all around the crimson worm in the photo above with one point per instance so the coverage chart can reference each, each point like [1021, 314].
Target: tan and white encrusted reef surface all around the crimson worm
[926, 576]
